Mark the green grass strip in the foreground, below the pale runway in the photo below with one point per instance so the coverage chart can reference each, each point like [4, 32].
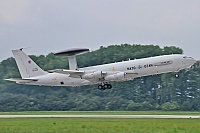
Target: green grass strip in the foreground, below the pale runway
[99, 125]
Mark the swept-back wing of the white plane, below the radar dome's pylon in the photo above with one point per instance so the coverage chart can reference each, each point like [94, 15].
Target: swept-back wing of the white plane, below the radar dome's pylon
[72, 73]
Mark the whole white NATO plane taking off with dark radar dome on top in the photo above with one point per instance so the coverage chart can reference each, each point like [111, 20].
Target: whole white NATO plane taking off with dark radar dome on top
[32, 74]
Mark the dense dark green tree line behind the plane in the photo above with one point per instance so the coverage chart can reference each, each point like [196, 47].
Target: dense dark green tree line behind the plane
[158, 92]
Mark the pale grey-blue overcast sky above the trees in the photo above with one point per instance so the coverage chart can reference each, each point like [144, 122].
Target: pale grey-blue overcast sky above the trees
[44, 26]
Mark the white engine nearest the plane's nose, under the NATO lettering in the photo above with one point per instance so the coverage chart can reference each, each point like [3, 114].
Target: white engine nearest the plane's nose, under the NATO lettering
[115, 77]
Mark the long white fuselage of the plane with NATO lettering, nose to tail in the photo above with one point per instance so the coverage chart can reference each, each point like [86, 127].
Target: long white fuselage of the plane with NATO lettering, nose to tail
[133, 68]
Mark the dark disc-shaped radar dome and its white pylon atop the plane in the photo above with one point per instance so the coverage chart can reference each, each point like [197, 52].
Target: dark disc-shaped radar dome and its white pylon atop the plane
[71, 54]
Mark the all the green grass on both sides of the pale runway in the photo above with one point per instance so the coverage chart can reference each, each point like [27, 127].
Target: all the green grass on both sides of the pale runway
[99, 125]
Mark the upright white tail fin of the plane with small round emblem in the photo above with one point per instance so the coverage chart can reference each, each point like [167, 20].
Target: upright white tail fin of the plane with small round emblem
[27, 67]
